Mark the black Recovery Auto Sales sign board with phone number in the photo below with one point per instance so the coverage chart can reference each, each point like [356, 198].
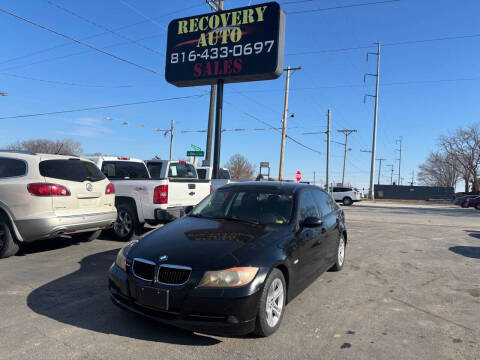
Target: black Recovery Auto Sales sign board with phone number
[243, 44]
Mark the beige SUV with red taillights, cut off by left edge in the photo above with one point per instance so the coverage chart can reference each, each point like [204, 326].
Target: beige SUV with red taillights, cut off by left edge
[44, 196]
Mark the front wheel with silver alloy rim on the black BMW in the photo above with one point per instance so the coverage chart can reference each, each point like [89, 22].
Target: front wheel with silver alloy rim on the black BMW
[274, 293]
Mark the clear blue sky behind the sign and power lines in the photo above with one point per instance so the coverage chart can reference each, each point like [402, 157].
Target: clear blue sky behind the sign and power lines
[414, 103]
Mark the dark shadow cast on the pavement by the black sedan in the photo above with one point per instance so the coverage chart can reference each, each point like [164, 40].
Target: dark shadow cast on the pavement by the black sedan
[82, 299]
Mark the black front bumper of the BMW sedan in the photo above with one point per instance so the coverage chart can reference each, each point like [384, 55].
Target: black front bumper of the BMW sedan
[215, 313]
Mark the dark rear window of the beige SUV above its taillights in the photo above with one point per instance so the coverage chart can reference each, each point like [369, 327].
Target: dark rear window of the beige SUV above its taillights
[71, 170]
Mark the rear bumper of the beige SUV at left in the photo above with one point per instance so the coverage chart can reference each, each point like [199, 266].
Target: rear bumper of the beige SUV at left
[46, 228]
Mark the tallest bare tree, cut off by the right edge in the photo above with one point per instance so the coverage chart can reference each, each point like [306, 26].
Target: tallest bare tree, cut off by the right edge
[463, 146]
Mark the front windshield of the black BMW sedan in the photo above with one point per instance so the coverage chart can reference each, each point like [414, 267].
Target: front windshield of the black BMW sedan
[248, 205]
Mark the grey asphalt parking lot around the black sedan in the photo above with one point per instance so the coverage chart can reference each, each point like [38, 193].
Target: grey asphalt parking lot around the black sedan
[410, 289]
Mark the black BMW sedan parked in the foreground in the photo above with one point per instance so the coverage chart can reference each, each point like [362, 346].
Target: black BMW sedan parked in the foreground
[233, 263]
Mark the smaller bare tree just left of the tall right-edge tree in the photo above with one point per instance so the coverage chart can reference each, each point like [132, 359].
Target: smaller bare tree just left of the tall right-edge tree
[439, 170]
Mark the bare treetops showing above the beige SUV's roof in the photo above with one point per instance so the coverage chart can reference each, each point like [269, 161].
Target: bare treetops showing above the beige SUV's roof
[64, 147]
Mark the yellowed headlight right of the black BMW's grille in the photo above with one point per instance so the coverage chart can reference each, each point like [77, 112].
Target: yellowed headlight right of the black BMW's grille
[233, 277]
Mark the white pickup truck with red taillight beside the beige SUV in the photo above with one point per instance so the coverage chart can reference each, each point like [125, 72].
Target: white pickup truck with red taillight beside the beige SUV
[157, 194]
